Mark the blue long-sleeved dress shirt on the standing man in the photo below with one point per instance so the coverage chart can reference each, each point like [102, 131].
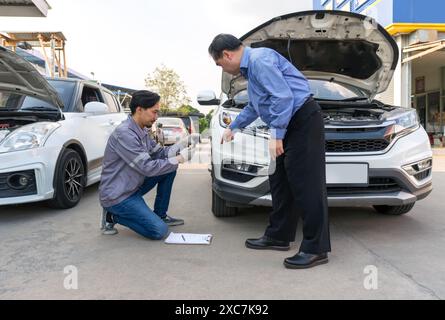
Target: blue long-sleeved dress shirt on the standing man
[276, 90]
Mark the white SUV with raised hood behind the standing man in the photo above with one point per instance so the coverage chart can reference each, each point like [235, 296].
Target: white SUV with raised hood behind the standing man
[376, 154]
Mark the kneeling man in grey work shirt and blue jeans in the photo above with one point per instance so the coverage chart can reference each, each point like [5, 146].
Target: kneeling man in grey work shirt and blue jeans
[133, 165]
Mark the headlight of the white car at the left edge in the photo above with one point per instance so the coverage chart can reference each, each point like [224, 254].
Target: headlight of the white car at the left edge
[28, 137]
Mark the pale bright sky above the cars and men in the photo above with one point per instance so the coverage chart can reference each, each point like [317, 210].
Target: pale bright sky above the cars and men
[124, 41]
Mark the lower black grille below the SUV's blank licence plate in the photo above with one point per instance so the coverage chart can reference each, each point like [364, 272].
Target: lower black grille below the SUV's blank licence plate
[376, 185]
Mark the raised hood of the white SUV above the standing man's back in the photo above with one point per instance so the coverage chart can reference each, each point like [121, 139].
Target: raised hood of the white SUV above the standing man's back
[332, 45]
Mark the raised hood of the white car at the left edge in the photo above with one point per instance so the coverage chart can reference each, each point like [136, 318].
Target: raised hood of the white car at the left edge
[19, 76]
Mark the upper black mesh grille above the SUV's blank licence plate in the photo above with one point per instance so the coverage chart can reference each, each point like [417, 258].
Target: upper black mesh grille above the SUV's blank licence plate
[366, 145]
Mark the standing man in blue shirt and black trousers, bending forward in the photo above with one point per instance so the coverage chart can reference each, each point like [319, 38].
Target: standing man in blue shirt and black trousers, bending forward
[280, 95]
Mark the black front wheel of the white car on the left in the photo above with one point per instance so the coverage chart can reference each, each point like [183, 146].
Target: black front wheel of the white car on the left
[69, 182]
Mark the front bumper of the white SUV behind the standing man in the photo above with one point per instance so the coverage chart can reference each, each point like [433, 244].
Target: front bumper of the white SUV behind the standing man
[402, 188]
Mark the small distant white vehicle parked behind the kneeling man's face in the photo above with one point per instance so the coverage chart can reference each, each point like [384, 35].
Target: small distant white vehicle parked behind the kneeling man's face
[173, 130]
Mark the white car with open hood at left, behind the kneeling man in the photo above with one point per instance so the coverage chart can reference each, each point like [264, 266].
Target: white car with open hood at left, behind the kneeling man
[53, 134]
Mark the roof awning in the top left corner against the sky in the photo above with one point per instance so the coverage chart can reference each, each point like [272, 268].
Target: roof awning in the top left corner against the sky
[24, 8]
